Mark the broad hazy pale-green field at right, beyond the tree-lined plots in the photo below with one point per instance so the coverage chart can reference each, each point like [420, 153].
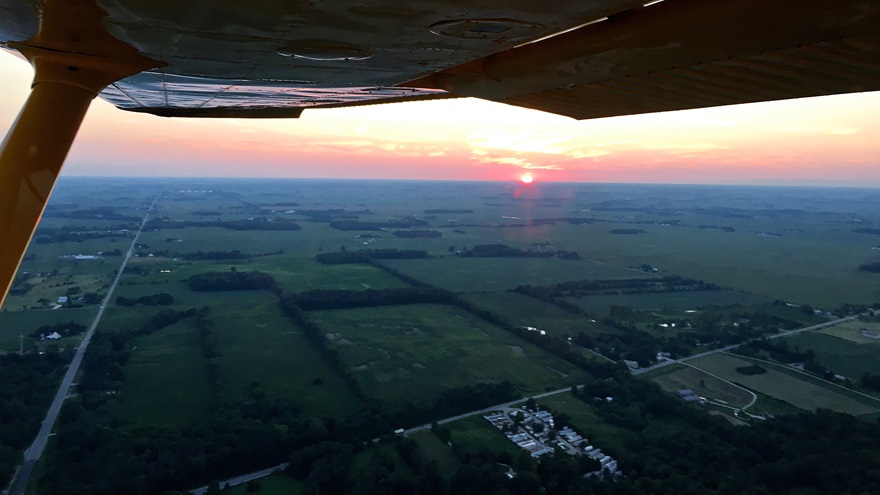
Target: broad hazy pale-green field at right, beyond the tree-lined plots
[796, 268]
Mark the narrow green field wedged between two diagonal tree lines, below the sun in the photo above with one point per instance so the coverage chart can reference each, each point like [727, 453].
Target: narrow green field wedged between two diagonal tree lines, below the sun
[528, 311]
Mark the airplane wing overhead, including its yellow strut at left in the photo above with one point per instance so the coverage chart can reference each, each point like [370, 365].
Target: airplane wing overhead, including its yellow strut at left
[269, 58]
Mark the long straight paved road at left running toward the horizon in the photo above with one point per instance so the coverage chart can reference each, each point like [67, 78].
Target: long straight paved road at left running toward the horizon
[35, 451]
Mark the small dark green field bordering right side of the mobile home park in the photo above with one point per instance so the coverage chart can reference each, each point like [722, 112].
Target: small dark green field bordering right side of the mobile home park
[585, 420]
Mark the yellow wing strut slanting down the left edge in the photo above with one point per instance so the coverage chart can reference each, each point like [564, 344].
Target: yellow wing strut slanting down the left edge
[74, 58]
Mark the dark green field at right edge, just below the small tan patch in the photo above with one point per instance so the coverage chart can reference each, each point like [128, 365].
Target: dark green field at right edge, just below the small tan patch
[843, 357]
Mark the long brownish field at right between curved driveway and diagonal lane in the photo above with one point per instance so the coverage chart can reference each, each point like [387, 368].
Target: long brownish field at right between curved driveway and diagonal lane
[794, 390]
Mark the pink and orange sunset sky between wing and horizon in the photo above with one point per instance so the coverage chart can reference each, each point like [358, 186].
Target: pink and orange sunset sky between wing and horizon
[832, 140]
